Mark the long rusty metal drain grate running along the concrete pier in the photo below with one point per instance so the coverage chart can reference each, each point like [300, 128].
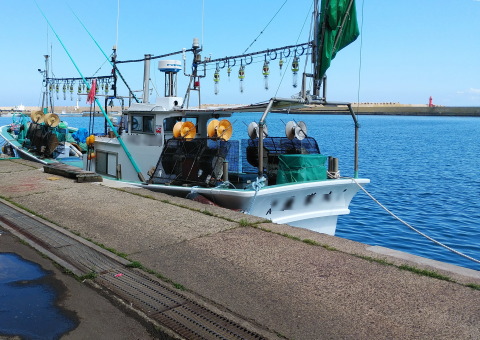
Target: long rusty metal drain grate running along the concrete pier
[156, 299]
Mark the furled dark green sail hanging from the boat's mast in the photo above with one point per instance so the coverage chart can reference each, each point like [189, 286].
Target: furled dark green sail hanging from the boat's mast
[338, 27]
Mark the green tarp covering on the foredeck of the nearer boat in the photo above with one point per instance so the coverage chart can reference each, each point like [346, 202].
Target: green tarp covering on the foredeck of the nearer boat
[301, 168]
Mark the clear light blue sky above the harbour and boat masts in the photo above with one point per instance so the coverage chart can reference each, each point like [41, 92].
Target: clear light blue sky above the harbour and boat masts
[408, 50]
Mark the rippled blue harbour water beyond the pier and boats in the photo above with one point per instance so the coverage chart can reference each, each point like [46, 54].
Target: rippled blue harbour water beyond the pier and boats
[424, 169]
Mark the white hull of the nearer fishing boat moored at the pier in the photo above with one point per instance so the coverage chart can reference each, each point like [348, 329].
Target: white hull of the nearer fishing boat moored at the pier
[312, 205]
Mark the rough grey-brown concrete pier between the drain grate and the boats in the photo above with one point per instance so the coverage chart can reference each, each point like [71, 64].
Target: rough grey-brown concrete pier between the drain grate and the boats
[275, 281]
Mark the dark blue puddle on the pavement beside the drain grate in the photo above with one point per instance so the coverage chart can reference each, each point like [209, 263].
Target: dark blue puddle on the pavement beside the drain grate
[27, 306]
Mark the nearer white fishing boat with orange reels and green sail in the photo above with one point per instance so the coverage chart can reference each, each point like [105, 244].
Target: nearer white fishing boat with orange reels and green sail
[170, 147]
